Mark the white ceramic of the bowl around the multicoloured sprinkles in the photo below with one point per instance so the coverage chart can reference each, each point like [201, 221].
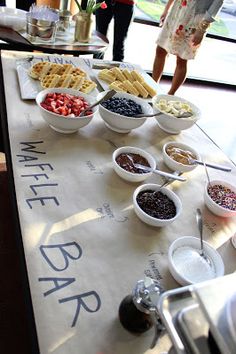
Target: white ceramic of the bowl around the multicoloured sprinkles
[214, 207]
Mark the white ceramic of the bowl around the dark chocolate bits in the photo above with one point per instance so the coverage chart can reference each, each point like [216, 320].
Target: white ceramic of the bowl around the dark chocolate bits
[149, 219]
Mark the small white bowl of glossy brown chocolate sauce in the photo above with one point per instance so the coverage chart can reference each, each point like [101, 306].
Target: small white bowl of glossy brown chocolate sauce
[124, 159]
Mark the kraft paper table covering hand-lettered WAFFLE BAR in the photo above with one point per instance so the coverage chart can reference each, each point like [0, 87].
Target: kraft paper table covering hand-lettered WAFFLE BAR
[85, 248]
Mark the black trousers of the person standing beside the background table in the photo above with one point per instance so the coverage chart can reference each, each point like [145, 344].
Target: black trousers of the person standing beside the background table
[122, 13]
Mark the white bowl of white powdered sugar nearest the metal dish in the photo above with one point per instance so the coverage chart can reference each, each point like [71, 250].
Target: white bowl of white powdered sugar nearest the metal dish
[187, 266]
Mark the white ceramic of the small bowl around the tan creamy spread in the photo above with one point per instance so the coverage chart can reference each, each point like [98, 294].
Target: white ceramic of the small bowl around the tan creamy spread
[178, 166]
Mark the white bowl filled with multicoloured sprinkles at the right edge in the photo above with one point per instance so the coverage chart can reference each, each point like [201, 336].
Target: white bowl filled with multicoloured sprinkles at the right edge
[220, 198]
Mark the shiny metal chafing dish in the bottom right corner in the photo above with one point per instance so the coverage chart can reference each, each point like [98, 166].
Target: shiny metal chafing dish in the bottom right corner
[196, 319]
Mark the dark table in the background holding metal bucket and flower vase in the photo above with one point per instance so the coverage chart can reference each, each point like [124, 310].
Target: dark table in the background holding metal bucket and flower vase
[16, 41]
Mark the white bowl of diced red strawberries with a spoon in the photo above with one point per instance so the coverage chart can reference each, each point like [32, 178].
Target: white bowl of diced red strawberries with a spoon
[62, 109]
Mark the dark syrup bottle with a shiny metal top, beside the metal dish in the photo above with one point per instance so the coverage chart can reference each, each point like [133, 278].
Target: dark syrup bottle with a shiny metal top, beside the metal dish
[138, 311]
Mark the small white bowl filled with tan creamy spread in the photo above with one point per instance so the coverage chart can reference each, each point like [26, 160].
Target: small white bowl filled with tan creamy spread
[177, 156]
